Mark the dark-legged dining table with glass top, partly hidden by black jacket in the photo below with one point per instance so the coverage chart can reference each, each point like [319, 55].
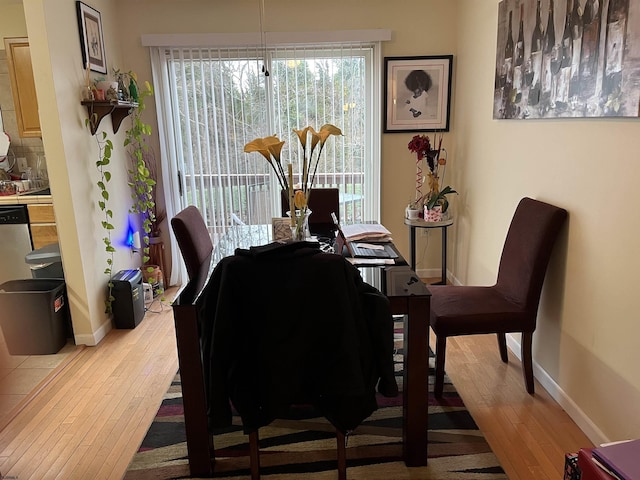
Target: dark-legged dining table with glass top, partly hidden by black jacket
[408, 297]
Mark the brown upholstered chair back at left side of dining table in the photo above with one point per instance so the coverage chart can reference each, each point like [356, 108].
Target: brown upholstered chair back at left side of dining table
[193, 239]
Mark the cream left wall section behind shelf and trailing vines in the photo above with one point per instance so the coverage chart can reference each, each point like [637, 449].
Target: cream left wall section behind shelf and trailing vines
[71, 155]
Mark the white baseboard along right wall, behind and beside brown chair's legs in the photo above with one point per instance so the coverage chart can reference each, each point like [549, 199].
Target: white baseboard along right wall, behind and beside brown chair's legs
[559, 395]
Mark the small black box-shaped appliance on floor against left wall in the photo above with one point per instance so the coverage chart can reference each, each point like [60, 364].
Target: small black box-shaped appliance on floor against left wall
[128, 294]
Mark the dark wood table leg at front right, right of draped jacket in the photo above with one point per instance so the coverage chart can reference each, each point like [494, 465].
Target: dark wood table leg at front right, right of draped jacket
[416, 381]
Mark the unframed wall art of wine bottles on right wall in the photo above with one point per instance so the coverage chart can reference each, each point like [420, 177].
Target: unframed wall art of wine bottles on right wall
[567, 58]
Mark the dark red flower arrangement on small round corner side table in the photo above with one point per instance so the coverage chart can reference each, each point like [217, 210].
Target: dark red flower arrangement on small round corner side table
[436, 159]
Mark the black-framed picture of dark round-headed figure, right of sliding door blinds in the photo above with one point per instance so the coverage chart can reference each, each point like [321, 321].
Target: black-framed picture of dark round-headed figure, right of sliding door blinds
[417, 93]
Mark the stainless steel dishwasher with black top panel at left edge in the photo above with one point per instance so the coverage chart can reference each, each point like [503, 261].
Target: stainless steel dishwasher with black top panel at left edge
[15, 242]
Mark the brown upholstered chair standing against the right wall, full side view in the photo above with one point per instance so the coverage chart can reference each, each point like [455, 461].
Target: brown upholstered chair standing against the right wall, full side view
[511, 305]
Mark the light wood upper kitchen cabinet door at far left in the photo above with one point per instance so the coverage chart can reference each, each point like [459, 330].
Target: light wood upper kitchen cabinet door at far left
[23, 86]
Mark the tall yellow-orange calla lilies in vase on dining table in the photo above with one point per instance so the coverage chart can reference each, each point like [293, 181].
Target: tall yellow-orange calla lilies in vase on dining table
[312, 143]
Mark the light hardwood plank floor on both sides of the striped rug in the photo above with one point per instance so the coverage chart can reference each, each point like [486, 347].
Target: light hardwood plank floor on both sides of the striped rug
[89, 421]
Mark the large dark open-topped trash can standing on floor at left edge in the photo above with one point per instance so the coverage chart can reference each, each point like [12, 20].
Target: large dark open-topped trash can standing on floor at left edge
[34, 316]
